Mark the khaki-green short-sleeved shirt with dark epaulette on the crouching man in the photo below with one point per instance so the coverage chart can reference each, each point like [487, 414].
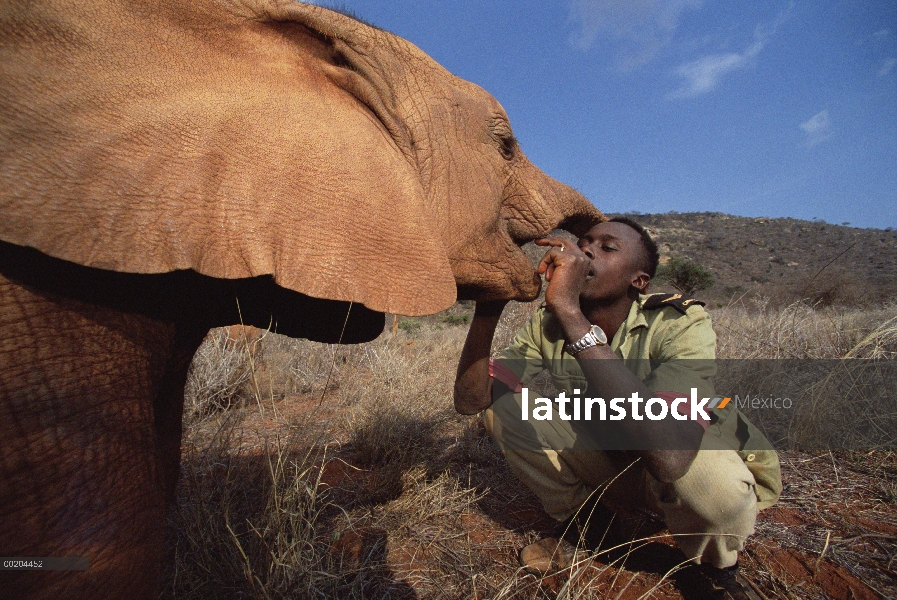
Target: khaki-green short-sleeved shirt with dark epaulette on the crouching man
[653, 344]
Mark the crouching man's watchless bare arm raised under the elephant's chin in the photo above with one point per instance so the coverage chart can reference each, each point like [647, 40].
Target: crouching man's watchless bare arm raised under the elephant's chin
[473, 385]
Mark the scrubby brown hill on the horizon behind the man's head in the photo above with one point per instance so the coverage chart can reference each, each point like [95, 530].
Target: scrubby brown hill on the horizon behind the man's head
[785, 259]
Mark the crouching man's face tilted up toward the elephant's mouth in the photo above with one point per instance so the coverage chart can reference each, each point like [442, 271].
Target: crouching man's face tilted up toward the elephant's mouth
[617, 256]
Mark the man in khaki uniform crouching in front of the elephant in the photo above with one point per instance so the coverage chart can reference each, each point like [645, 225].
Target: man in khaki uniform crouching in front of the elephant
[601, 336]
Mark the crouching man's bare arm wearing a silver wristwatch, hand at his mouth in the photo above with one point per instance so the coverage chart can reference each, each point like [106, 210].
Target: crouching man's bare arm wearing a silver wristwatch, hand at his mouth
[608, 377]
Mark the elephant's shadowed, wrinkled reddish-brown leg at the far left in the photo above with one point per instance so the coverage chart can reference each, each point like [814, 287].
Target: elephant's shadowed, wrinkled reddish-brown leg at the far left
[80, 471]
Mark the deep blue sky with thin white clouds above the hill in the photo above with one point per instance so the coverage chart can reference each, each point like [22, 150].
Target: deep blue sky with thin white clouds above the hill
[764, 108]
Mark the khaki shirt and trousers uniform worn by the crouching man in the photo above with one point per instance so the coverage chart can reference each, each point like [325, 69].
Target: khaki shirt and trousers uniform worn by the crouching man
[712, 509]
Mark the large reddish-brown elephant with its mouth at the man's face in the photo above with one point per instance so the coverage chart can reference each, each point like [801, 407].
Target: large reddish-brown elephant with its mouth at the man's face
[169, 167]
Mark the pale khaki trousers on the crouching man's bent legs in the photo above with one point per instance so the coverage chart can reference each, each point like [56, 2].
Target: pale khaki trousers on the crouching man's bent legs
[711, 510]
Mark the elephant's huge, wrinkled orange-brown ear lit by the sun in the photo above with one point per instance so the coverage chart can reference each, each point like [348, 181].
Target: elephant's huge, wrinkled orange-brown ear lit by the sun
[236, 145]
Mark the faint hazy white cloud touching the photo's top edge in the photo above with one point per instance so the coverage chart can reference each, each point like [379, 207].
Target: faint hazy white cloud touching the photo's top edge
[643, 26]
